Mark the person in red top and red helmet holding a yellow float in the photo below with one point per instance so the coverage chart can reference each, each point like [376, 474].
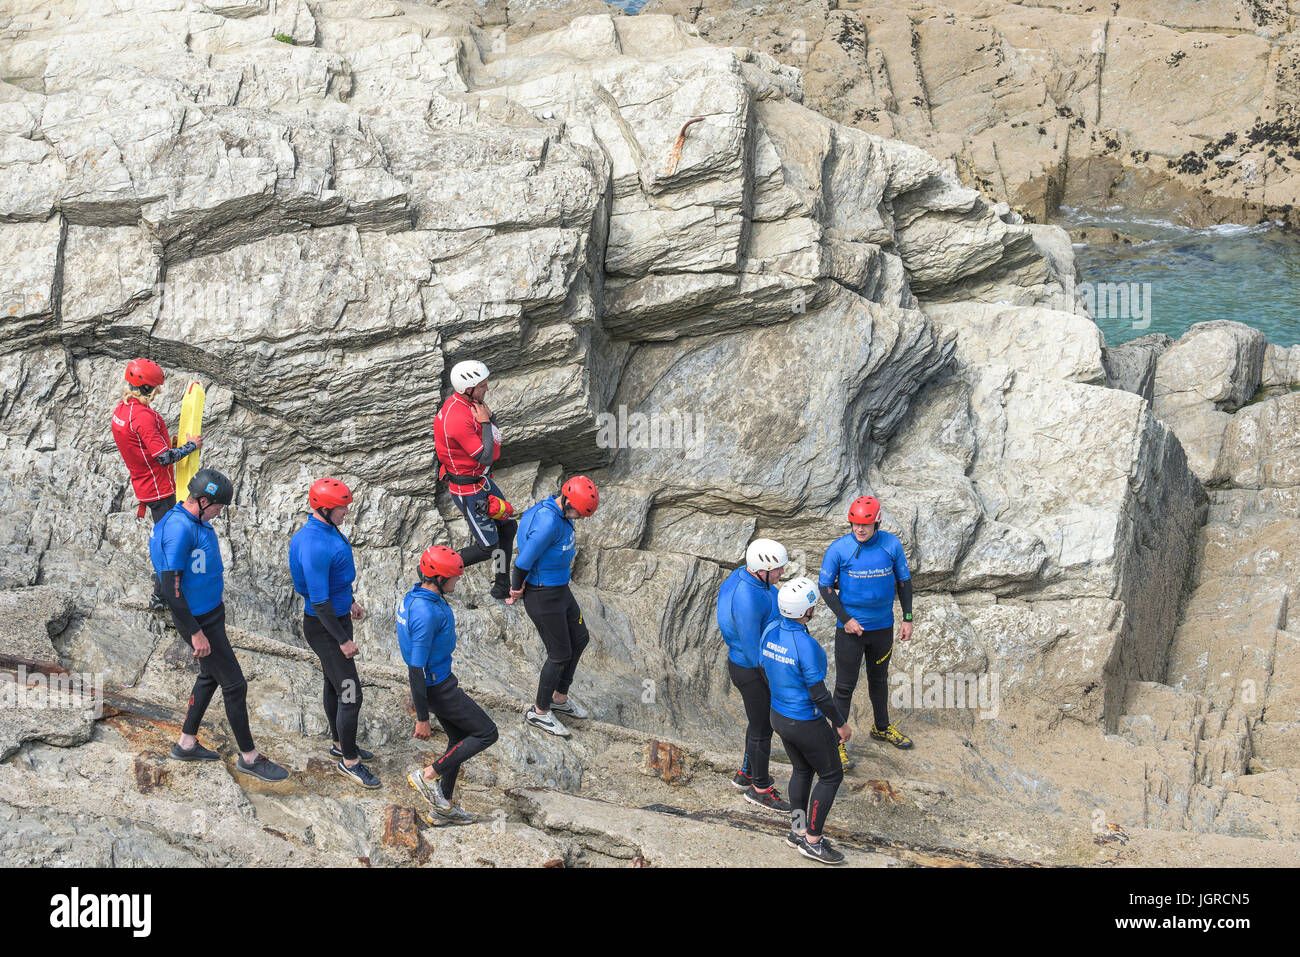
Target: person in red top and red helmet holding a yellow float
[146, 448]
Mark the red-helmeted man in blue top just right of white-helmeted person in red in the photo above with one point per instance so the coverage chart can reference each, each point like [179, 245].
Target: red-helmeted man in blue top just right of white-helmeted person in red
[541, 577]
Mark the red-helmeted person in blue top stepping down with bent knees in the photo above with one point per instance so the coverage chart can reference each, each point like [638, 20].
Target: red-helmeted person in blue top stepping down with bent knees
[427, 635]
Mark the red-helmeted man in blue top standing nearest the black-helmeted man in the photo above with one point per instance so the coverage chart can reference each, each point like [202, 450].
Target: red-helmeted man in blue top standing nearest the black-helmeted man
[320, 562]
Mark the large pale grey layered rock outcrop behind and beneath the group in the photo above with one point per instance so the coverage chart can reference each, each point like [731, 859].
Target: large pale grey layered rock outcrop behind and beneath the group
[775, 311]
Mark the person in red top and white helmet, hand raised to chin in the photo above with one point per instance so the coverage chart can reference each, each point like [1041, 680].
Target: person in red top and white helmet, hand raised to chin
[467, 443]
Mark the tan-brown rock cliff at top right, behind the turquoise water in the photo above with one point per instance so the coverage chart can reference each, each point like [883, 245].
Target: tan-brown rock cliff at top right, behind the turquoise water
[1185, 109]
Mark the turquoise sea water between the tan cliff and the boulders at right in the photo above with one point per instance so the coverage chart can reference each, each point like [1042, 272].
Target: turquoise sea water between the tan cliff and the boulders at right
[1176, 276]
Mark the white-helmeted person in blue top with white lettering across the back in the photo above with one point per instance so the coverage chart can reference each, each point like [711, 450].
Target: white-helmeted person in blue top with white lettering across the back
[805, 716]
